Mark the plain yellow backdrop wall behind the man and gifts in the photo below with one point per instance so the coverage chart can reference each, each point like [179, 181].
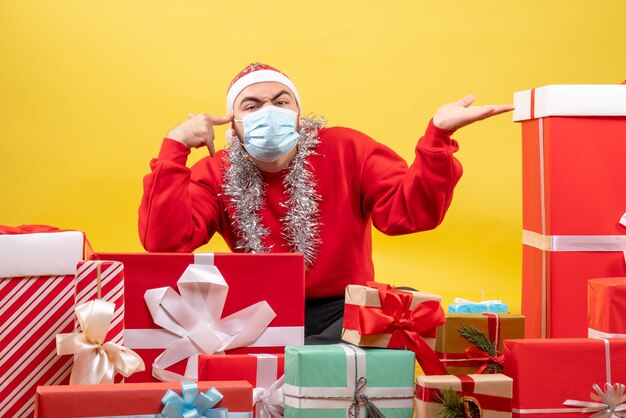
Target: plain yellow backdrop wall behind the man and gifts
[89, 88]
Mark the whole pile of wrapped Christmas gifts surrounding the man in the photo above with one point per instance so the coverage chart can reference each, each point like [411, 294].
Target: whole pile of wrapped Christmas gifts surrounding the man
[173, 335]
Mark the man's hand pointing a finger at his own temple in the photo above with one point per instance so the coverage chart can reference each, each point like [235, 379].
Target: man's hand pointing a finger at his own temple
[198, 131]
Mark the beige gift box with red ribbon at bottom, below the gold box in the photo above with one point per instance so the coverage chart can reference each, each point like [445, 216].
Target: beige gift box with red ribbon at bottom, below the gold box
[492, 391]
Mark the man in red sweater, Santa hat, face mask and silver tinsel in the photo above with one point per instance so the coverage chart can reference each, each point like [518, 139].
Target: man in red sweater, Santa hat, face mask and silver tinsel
[287, 183]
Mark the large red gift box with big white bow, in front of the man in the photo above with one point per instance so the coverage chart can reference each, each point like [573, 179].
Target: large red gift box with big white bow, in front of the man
[181, 305]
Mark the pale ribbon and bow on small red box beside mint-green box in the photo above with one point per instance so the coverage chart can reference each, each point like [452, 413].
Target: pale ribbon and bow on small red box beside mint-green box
[268, 397]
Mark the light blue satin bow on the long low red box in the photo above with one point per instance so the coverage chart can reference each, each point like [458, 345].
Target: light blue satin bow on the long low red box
[192, 404]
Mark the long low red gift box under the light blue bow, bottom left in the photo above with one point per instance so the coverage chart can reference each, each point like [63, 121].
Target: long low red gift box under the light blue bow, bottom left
[131, 399]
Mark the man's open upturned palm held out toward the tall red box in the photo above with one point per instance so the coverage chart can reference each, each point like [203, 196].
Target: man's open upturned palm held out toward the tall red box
[459, 114]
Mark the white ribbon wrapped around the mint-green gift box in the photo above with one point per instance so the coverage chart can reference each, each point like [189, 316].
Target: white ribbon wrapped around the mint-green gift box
[342, 398]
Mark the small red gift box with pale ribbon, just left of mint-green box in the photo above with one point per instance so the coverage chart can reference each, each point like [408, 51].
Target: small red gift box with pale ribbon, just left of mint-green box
[261, 370]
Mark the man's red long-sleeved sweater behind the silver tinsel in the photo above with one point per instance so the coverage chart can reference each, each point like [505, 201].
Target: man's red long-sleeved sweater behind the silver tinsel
[359, 180]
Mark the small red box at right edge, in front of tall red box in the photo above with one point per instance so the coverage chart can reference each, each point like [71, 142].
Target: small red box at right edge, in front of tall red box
[607, 307]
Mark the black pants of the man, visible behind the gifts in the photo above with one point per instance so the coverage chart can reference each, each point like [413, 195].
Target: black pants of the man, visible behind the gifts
[323, 320]
